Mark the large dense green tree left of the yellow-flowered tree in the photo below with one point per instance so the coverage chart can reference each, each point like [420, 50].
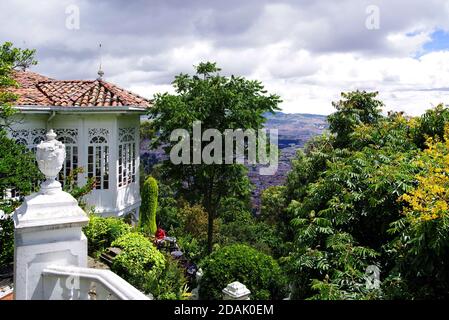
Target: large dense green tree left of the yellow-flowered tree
[342, 195]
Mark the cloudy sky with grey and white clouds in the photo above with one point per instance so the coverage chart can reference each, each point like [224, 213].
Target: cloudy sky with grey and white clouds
[306, 51]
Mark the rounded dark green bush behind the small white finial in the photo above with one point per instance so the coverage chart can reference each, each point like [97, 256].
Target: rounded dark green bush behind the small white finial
[259, 272]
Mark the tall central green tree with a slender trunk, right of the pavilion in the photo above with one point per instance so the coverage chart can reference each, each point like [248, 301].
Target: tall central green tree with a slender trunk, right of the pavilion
[220, 103]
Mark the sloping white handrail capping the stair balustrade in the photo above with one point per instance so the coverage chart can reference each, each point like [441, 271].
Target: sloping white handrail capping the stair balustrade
[112, 283]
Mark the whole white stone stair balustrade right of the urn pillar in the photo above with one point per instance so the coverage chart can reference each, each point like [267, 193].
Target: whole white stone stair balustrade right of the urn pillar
[75, 283]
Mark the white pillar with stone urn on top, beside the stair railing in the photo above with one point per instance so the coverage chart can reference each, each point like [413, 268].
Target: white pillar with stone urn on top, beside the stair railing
[47, 227]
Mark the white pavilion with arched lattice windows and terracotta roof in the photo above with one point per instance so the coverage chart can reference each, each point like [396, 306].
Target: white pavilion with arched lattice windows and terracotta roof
[99, 124]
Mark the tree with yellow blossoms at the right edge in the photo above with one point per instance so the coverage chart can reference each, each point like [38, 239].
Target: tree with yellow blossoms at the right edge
[421, 246]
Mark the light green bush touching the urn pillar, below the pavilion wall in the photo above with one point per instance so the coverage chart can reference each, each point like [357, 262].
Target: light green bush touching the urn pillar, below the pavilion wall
[101, 232]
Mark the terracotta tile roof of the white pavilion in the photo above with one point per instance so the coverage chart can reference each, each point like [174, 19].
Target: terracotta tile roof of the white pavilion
[39, 90]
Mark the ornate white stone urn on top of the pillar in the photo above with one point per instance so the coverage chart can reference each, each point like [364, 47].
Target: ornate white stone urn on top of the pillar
[50, 155]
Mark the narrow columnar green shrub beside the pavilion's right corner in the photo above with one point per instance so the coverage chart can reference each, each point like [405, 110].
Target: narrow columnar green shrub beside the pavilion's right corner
[148, 208]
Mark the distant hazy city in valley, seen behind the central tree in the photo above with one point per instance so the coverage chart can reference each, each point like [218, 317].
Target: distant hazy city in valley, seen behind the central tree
[294, 130]
